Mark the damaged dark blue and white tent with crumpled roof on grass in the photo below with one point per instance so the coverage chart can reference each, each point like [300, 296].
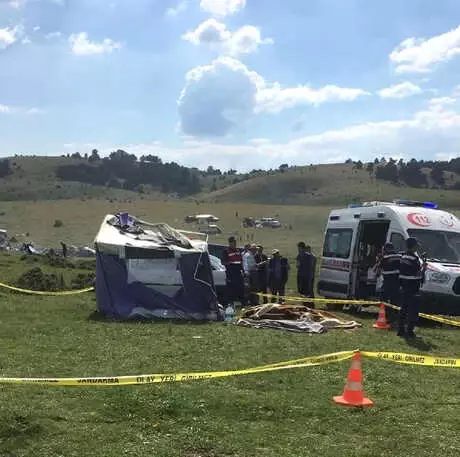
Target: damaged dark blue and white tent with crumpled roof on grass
[153, 271]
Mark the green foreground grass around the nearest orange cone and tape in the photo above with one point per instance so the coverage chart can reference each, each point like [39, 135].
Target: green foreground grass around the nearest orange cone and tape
[269, 414]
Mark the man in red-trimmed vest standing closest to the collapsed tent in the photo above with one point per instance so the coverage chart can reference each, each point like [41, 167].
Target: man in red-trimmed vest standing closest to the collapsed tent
[233, 262]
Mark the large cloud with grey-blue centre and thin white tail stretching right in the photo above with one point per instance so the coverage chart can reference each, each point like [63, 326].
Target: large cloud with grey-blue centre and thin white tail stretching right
[218, 96]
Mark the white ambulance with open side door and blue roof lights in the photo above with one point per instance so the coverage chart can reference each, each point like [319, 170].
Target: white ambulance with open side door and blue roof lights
[354, 239]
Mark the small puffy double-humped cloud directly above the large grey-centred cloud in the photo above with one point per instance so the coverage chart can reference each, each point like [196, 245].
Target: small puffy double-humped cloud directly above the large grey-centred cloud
[214, 34]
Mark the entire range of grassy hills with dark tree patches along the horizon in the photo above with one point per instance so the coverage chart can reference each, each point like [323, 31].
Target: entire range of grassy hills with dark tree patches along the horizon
[37, 178]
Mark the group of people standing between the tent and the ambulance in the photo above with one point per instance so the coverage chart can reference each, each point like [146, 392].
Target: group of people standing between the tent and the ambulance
[251, 270]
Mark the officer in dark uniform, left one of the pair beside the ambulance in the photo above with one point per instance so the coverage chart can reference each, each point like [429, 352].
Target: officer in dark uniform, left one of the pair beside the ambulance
[388, 267]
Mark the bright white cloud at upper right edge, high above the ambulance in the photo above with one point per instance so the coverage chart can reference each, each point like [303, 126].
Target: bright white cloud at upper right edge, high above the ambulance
[420, 55]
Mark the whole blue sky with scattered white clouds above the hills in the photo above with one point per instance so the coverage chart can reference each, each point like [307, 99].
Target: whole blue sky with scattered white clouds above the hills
[243, 84]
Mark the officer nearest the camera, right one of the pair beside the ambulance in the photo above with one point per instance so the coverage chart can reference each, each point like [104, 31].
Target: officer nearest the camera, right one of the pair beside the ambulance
[411, 274]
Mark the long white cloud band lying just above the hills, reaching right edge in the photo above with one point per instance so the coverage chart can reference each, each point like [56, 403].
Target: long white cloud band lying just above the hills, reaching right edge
[428, 134]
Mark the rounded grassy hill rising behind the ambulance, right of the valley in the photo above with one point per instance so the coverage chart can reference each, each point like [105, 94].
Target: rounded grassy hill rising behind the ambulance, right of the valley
[326, 185]
